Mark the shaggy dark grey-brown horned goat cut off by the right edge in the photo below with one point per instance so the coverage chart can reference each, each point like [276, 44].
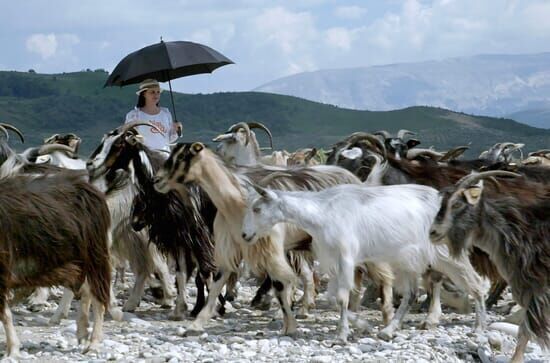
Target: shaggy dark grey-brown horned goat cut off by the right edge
[516, 236]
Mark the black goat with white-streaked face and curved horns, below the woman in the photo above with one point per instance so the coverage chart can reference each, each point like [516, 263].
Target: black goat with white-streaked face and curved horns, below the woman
[176, 228]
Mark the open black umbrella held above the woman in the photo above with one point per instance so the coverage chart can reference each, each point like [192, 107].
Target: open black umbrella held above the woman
[165, 61]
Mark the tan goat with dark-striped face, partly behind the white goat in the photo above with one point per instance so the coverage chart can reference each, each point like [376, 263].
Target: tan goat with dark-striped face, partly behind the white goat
[193, 163]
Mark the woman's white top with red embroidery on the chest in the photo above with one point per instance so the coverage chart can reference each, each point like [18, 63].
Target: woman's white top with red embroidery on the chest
[152, 138]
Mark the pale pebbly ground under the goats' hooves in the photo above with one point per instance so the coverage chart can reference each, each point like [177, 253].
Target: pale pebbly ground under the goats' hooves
[246, 335]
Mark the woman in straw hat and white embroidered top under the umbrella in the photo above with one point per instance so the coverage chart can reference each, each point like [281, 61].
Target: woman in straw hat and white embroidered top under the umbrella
[148, 110]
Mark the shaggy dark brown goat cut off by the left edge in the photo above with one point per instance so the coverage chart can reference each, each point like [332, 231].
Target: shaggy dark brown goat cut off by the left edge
[54, 231]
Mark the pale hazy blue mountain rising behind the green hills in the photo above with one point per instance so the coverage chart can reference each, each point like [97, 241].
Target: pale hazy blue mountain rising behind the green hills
[495, 85]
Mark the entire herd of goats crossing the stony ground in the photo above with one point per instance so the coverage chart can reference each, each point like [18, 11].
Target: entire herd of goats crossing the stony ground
[378, 208]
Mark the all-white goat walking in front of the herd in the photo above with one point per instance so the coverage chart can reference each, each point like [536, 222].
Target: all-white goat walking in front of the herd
[353, 224]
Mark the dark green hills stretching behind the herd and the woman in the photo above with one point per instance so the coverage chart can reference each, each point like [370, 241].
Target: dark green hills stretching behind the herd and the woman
[43, 104]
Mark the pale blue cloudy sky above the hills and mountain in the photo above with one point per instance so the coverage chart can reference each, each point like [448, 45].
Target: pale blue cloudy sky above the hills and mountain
[266, 39]
